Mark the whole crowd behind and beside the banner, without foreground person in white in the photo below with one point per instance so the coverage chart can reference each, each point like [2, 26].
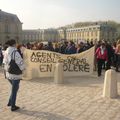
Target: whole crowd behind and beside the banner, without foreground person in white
[106, 54]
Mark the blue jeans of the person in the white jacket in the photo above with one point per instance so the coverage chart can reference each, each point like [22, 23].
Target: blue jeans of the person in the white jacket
[15, 87]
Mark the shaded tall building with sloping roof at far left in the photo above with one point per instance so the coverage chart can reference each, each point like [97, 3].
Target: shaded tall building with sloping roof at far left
[10, 27]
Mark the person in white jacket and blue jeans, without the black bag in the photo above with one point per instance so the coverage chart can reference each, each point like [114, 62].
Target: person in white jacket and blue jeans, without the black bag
[13, 78]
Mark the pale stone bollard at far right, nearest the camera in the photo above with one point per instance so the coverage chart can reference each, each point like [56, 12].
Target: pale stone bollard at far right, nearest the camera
[110, 84]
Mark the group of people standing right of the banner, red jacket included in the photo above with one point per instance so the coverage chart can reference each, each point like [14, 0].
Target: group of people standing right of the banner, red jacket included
[107, 55]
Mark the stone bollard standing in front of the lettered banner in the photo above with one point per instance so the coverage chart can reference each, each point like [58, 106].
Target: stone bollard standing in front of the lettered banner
[58, 74]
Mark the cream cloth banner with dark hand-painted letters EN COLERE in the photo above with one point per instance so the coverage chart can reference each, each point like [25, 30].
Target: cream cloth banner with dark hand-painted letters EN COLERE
[40, 63]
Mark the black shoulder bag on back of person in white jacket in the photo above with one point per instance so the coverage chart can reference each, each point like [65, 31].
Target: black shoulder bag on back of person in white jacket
[13, 67]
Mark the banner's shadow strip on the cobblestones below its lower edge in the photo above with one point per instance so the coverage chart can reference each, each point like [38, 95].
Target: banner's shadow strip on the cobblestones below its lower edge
[83, 81]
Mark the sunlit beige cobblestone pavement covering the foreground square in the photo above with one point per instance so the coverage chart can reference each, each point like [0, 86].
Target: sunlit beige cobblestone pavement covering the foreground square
[77, 99]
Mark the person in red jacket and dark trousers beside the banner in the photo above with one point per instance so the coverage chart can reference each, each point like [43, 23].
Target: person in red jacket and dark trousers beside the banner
[101, 55]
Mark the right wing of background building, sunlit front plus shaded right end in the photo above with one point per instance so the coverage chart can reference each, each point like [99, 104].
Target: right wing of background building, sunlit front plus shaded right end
[89, 33]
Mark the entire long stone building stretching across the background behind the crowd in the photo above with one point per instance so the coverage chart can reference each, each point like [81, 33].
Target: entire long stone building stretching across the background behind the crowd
[87, 33]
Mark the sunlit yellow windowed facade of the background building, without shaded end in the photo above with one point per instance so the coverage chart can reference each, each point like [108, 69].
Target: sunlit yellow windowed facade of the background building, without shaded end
[84, 33]
